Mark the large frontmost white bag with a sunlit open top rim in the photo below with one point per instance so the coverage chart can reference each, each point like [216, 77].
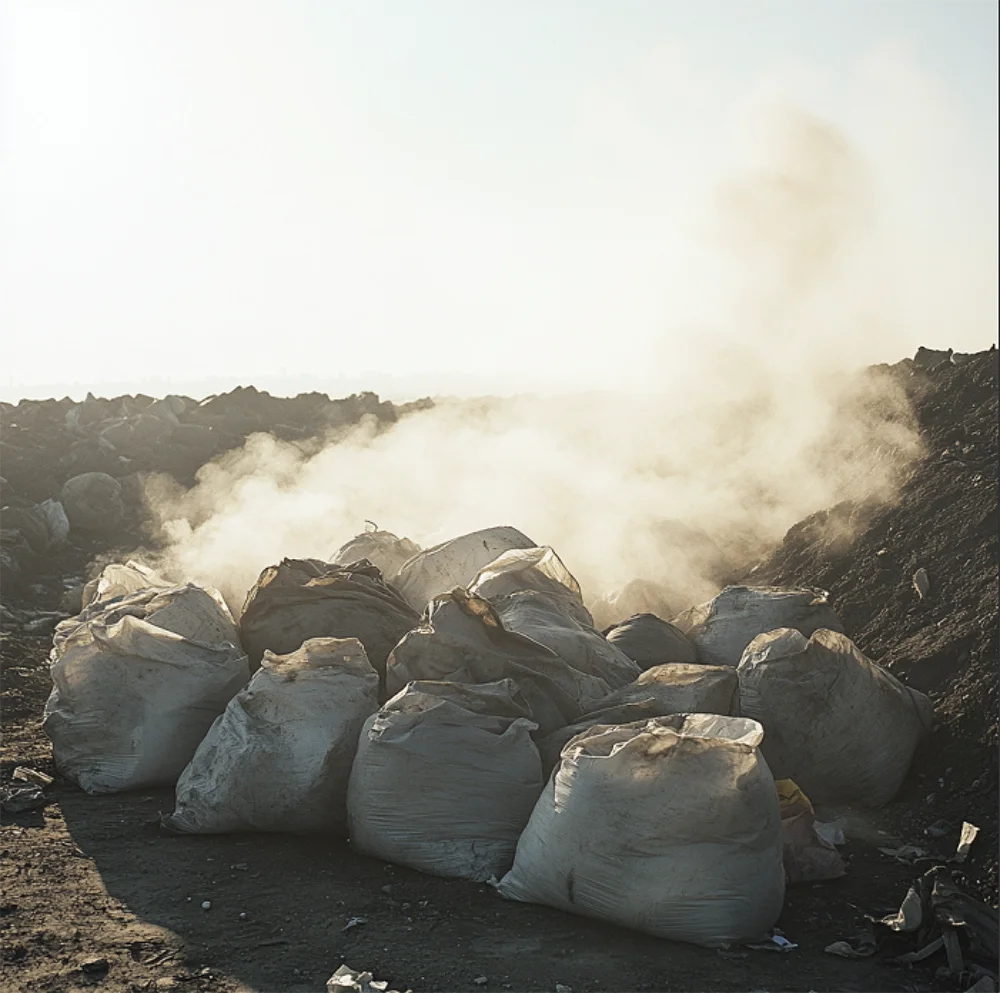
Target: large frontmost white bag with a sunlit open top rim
[670, 826]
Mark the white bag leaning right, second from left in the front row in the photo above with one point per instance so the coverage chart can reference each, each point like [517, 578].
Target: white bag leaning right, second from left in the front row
[280, 756]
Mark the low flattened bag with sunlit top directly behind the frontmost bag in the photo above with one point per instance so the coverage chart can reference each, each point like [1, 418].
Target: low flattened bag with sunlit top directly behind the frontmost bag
[658, 692]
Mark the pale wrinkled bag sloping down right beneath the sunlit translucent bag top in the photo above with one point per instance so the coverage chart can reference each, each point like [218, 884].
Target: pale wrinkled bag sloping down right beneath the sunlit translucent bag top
[544, 618]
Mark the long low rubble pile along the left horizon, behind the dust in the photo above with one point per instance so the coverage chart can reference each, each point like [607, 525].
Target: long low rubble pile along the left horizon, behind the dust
[67, 465]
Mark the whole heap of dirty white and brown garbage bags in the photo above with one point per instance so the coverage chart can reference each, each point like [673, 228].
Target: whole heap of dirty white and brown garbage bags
[465, 717]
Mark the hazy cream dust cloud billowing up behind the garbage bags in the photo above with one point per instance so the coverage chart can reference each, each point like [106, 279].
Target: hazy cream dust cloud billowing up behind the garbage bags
[754, 427]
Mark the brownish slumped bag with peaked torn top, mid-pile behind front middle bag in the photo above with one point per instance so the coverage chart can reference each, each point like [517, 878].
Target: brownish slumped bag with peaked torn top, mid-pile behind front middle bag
[462, 639]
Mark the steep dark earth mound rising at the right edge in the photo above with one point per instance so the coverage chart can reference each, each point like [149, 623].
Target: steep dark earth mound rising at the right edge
[941, 640]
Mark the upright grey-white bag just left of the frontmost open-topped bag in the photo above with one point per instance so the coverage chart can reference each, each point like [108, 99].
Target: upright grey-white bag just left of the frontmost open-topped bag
[445, 779]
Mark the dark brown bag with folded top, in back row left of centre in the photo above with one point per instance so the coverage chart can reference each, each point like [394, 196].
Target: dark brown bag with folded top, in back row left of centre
[301, 599]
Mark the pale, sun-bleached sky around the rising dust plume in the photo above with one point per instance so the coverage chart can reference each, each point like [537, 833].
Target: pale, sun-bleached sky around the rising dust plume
[413, 196]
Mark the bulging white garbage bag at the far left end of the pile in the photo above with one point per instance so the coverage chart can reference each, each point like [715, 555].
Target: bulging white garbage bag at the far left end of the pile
[135, 690]
